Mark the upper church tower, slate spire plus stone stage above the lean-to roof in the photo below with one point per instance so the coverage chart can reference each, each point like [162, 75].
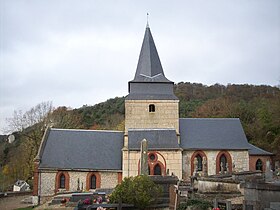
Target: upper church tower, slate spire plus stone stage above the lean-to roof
[151, 103]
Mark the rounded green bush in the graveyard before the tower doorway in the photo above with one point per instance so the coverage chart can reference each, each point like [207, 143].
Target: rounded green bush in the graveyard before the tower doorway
[140, 191]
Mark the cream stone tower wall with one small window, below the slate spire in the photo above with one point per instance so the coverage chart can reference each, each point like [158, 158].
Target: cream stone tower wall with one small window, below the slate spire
[137, 114]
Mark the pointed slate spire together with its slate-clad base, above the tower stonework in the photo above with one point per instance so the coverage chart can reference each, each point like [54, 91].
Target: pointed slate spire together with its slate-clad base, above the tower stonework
[149, 82]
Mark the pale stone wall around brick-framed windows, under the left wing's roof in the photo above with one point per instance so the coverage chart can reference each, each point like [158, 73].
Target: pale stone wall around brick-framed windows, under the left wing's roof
[47, 181]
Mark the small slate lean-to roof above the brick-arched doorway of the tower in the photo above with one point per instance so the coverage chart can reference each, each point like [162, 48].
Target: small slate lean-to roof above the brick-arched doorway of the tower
[161, 139]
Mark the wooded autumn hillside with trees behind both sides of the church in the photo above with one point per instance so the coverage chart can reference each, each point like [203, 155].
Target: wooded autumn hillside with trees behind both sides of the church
[258, 108]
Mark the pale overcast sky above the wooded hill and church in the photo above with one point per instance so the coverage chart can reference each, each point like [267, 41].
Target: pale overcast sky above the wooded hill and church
[84, 52]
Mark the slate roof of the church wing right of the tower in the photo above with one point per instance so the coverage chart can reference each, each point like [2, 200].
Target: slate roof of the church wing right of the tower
[212, 133]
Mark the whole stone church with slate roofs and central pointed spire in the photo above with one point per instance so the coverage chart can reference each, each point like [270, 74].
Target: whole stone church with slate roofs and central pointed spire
[71, 159]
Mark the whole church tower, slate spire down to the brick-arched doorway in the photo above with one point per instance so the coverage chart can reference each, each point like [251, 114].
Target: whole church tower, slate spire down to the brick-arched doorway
[151, 113]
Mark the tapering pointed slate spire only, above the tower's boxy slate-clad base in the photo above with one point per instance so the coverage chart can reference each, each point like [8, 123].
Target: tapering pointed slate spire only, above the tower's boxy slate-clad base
[149, 66]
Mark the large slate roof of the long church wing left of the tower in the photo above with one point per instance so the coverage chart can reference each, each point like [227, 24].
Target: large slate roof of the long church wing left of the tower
[82, 149]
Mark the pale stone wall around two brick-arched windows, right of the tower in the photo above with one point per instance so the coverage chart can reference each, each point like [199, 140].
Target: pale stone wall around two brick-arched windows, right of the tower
[239, 158]
